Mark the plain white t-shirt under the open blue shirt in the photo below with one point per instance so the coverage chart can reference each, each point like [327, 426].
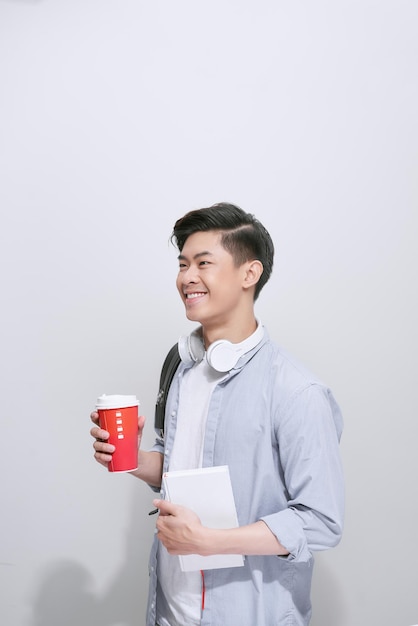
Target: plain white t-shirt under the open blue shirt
[184, 589]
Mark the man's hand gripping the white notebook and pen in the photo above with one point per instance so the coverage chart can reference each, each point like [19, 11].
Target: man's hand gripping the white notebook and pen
[180, 529]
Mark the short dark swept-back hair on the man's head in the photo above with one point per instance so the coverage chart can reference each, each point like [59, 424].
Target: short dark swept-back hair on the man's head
[242, 235]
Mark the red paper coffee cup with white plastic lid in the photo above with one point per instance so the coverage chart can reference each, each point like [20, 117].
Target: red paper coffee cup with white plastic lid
[119, 416]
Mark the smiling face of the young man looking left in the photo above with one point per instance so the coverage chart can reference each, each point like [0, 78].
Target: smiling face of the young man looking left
[209, 283]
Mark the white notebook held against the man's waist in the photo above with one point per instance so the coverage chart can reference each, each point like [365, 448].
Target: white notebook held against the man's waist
[208, 492]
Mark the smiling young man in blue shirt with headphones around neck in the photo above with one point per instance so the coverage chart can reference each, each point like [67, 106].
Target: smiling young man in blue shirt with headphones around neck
[239, 400]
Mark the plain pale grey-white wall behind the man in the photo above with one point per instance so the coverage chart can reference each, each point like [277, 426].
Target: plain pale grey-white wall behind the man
[117, 117]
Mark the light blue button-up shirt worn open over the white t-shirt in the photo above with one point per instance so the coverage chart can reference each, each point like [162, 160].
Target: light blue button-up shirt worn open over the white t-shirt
[278, 428]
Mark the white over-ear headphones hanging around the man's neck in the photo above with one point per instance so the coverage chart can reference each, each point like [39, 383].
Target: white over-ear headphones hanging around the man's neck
[222, 355]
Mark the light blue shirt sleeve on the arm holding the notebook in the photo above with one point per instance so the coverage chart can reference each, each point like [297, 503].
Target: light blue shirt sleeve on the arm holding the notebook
[308, 431]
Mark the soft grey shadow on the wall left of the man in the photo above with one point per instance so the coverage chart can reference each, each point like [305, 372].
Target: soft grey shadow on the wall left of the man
[67, 594]
